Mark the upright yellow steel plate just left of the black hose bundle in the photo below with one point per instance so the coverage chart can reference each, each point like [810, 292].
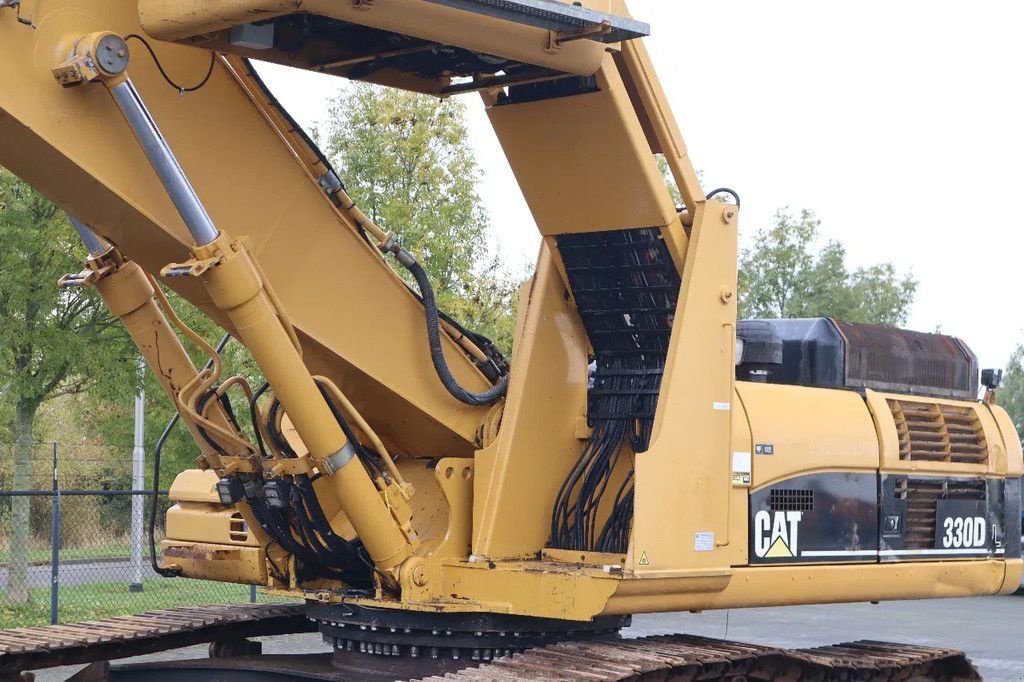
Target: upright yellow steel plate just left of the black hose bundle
[537, 444]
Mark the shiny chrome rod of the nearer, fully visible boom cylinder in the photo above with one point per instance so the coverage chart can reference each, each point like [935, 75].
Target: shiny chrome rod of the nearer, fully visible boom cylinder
[159, 153]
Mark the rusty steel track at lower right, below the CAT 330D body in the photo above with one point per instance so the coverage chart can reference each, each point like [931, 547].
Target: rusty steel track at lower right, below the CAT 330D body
[684, 658]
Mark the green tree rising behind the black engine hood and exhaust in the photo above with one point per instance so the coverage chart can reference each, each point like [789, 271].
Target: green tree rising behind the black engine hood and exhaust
[782, 277]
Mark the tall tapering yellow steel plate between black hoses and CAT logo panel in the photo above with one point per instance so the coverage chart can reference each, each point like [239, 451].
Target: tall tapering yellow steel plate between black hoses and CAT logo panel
[687, 475]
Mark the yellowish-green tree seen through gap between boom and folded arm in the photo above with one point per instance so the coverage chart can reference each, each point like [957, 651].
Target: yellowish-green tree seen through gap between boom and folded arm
[407, 161]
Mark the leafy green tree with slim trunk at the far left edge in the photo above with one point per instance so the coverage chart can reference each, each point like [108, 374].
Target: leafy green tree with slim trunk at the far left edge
[53, 343]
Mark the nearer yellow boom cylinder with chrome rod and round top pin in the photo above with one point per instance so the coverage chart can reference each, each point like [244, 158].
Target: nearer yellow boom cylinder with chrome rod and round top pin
[237, 286]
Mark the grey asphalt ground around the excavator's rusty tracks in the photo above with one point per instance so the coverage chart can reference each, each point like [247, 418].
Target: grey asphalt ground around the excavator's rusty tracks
[990, 630]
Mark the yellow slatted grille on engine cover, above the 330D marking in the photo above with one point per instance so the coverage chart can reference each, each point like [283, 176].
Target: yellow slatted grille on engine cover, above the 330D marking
[932, 433]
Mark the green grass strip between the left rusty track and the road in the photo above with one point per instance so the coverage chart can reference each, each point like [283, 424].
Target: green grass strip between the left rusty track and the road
[104, 601]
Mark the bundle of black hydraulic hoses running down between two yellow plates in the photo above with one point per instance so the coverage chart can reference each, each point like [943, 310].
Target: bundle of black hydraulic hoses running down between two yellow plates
[626, 288]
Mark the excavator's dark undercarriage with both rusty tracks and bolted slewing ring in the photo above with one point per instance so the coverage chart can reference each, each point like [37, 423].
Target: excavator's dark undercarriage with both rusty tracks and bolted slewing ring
[392, 648]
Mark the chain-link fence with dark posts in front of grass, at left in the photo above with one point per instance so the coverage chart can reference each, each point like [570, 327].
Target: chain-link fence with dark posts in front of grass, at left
[74, 541]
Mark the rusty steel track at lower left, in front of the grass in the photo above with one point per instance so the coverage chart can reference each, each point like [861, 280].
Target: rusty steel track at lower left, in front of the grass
[32, 649]
